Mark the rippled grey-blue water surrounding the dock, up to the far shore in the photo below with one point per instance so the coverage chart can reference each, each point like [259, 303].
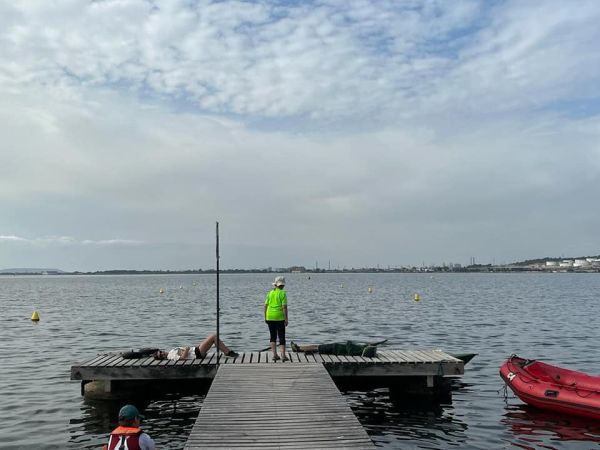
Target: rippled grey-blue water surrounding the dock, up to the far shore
[546, 316]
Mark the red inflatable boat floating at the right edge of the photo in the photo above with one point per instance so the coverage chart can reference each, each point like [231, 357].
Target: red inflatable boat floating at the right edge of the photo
[553, 388]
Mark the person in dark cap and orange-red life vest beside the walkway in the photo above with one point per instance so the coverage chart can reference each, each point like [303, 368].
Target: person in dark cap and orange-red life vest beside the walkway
[129, 435]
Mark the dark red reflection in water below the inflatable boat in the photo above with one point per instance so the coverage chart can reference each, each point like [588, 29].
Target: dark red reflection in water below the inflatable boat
[539, 428]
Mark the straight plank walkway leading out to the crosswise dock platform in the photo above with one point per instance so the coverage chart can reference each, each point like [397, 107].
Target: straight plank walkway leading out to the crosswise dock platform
[276, 406]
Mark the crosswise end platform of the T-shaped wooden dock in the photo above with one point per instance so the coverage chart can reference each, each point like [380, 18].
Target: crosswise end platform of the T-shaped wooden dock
[112, 367]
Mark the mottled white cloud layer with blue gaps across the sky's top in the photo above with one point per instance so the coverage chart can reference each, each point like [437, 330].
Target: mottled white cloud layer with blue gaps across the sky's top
[328, 60]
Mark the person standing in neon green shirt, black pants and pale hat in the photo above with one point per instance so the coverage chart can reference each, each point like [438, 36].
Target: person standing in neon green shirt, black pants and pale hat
[276, 316]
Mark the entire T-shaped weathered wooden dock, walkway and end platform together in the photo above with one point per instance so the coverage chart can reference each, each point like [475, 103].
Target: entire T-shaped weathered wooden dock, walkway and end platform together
[254, 402]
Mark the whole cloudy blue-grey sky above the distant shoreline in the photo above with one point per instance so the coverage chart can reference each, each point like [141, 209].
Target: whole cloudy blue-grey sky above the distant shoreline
[329, 133]
